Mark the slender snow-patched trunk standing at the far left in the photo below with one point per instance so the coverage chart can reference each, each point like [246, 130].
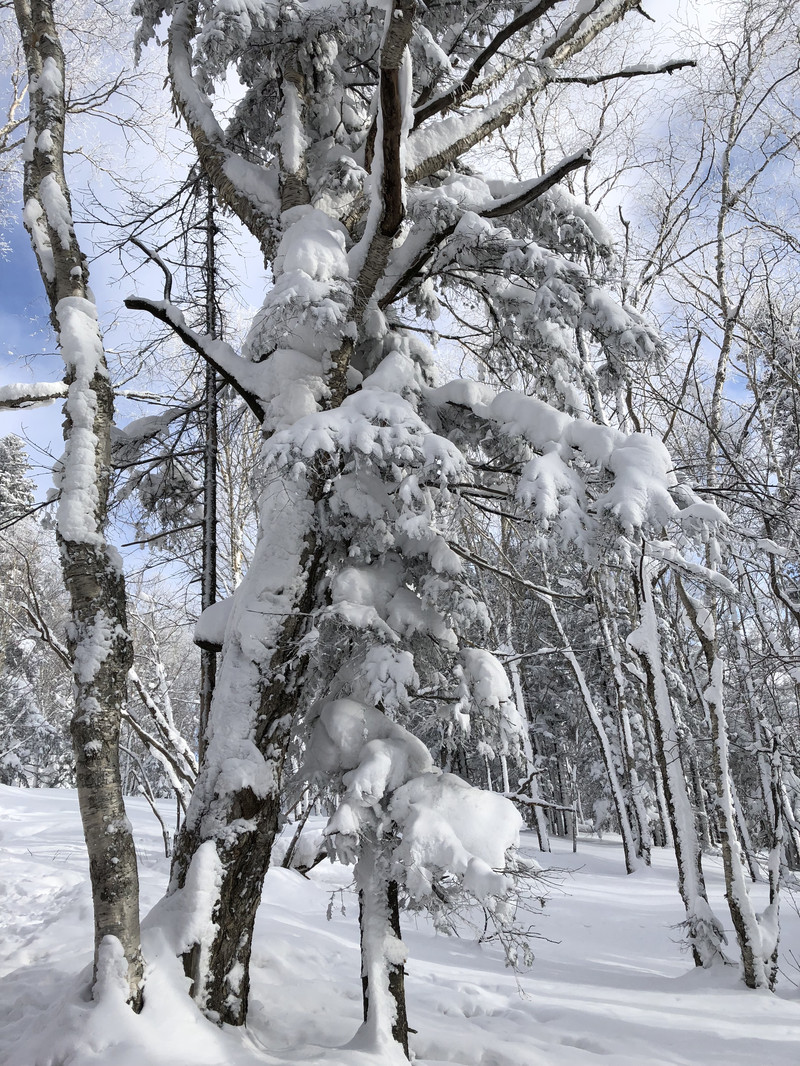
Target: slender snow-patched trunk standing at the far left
[99, 640]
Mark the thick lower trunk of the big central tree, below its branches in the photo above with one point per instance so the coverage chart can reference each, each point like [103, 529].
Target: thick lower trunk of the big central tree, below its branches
[234, 814]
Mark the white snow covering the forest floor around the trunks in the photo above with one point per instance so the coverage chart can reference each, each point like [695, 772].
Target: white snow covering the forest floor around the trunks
[610, 988]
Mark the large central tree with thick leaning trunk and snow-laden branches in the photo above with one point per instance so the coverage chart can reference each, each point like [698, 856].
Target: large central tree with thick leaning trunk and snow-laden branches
[348, 158]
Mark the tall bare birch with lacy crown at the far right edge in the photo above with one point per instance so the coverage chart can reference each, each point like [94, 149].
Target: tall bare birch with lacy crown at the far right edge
[724, 240]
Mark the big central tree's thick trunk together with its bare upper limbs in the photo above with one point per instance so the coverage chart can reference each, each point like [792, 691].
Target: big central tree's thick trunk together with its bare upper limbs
[233, 818]
